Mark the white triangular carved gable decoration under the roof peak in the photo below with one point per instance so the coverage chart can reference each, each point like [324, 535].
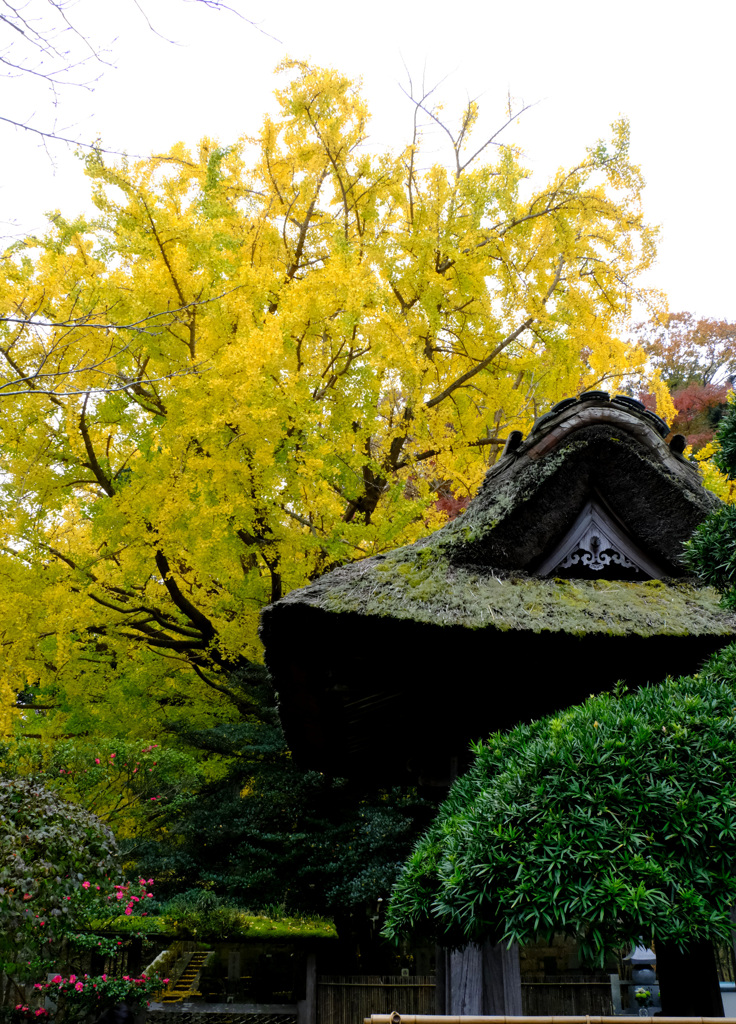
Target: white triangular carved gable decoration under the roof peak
[597, 544]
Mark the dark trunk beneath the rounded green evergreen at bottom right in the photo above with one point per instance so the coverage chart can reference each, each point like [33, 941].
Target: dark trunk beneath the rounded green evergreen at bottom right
[688, 982]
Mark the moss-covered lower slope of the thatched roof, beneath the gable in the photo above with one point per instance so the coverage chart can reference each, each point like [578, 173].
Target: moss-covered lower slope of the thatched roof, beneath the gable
[415, 584]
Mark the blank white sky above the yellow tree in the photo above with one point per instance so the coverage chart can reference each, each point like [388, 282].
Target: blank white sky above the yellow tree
[667, 65]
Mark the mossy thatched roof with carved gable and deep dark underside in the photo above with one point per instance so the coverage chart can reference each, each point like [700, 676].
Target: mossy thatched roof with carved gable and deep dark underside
[573, 544]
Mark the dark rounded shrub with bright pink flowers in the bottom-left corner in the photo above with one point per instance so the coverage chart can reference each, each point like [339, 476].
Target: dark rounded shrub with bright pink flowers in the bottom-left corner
[56, 866]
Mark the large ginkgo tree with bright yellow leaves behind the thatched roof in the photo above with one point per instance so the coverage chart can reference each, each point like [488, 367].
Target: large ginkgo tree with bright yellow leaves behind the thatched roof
[259, 361]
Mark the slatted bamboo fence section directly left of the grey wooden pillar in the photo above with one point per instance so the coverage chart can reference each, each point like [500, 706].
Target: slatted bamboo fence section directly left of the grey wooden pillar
[350, 999]
